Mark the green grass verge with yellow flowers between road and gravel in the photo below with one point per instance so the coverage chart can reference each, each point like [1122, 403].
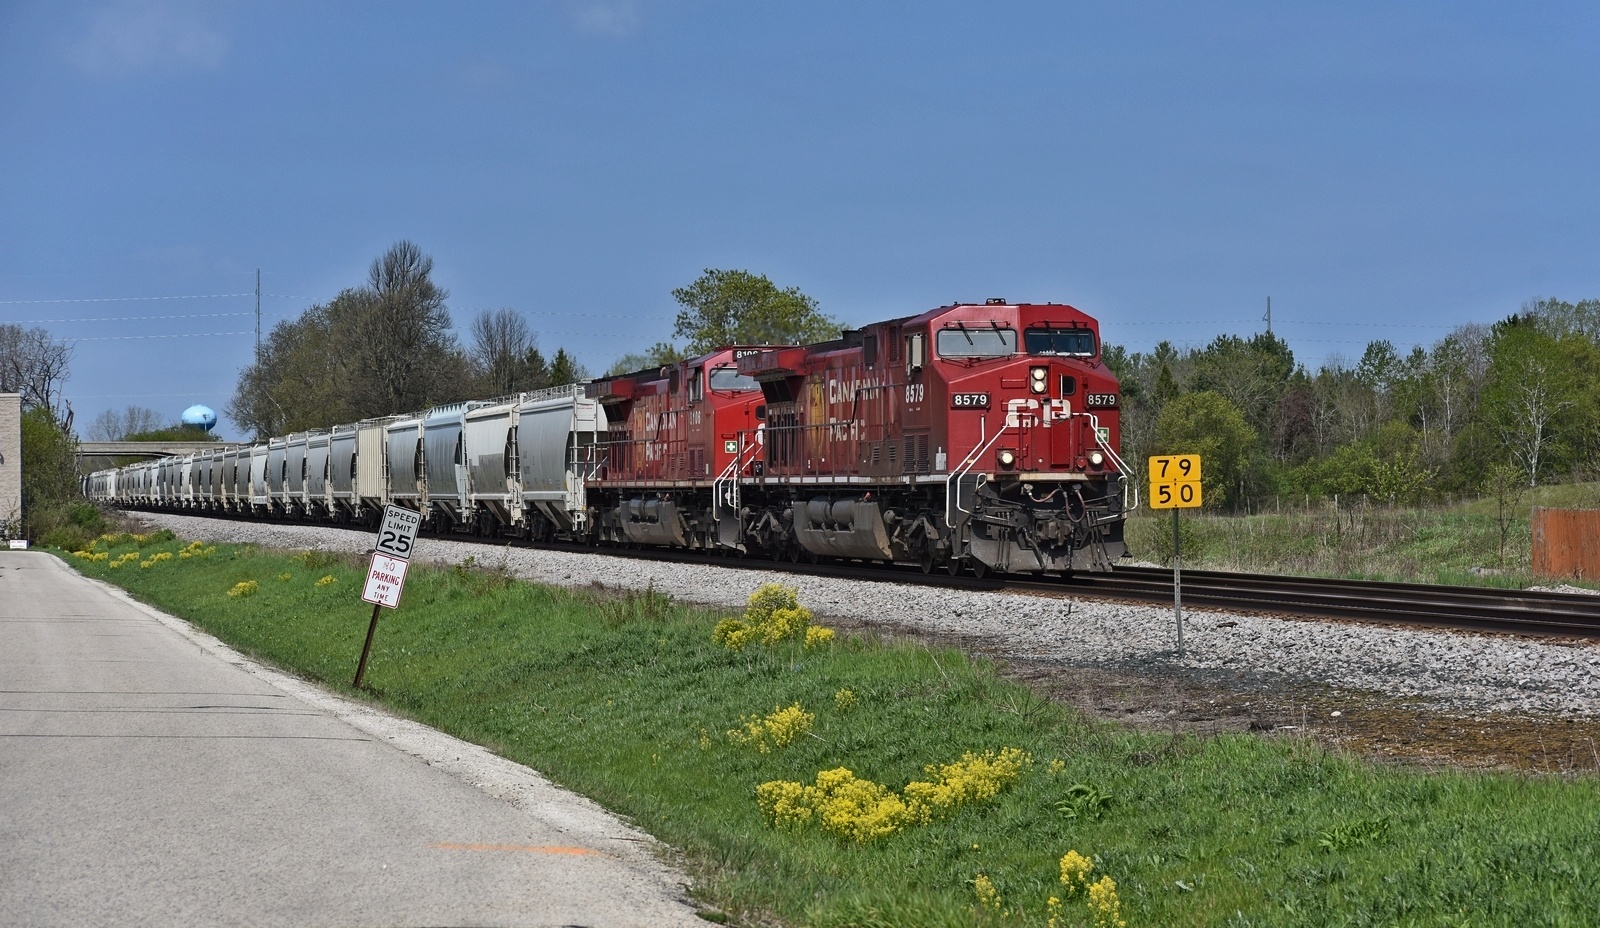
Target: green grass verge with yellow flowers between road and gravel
[625, 698]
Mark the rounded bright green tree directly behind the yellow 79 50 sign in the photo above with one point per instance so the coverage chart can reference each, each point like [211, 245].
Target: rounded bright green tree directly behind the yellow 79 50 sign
[1210, 426]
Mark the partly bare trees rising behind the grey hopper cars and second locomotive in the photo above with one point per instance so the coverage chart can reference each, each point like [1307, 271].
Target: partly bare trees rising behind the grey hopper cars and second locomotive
[390, 346]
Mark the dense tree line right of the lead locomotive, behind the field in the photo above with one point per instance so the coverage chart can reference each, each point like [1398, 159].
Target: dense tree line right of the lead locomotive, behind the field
[1513, 404]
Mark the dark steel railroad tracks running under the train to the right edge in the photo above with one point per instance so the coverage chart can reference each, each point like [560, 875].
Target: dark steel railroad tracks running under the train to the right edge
[1377, 602]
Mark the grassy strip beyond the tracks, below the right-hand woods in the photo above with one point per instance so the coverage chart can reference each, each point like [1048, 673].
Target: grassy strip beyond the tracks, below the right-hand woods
[1457, 543]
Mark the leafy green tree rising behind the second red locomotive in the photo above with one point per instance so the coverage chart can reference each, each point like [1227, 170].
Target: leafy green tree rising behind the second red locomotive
[727, 308]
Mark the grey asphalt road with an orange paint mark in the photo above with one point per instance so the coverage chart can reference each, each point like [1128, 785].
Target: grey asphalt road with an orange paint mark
[153, 777]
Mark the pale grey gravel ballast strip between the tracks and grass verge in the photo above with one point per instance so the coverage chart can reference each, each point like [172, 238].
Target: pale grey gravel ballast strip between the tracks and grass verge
[1426, 670]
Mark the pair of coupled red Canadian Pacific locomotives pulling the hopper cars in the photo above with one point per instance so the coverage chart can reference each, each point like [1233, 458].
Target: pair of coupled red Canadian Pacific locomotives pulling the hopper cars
[978, 436]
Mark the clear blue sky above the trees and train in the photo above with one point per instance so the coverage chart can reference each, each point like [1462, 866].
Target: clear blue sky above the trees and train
[1380, 170]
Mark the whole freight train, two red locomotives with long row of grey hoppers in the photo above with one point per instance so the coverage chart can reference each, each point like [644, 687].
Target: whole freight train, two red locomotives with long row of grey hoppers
[977, 438]
